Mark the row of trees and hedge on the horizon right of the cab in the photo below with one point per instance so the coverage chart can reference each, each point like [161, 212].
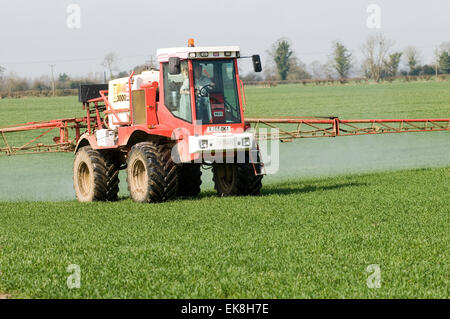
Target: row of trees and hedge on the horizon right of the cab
[379, 61]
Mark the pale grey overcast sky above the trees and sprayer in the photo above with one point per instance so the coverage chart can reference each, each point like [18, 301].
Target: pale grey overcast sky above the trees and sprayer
[34, 34]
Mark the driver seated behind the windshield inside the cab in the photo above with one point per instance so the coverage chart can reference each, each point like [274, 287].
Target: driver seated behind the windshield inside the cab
[202, 103]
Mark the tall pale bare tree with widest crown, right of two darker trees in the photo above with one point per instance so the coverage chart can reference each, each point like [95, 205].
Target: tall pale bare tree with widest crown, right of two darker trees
[375, 51]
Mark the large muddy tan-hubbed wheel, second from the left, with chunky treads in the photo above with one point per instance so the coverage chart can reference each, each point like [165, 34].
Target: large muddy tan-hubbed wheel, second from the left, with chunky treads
[151, 173]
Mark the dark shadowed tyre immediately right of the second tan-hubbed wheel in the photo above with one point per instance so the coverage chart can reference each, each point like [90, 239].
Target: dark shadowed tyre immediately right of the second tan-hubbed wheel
[189, 179]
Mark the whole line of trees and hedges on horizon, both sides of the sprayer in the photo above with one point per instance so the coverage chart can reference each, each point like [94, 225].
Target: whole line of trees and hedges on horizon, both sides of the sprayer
[379, 61]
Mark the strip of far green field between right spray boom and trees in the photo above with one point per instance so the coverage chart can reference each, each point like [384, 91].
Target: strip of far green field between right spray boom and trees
[394, 100]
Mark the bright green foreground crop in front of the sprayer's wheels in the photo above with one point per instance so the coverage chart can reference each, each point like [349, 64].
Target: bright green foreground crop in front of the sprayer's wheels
[301, 239]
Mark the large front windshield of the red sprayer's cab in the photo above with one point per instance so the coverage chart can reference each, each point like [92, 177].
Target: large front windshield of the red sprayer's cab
[216, 94]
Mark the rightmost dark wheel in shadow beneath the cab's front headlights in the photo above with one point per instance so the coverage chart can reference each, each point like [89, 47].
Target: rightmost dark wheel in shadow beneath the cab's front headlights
[236, 179]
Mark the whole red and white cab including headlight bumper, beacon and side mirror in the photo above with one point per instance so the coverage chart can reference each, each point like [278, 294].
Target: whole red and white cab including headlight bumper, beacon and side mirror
[201, 87]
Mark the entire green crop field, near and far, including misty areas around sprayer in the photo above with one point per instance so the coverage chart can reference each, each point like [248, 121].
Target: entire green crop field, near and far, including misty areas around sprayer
[305, 237]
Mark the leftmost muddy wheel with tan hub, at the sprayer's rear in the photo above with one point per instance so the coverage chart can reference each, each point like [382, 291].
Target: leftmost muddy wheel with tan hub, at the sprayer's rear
[95, 175]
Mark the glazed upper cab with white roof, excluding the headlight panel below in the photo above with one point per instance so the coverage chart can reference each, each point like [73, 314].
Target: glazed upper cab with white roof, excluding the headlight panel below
[201, 84]
